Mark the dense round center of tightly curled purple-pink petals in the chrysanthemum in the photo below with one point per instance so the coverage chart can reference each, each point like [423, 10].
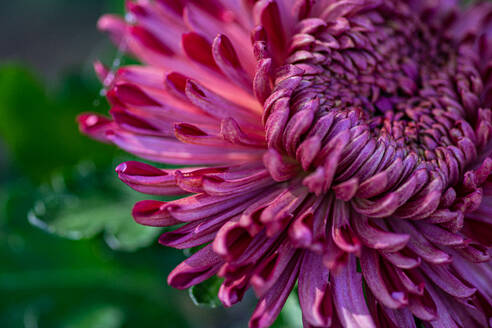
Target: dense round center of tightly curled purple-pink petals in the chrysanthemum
[367, 88]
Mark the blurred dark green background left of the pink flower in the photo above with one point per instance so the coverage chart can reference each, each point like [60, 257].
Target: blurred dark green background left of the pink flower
[70, 253]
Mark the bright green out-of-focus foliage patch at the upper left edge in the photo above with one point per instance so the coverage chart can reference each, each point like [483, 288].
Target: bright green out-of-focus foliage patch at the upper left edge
[40, 130]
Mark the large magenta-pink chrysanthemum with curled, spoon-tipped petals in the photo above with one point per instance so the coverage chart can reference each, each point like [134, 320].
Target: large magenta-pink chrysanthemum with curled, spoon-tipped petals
[340, 144]
